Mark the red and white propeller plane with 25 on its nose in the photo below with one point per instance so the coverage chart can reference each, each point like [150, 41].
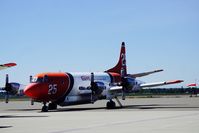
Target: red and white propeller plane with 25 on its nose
[65, 89]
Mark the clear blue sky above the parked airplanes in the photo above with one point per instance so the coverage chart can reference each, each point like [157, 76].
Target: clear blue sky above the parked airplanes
[85, 35]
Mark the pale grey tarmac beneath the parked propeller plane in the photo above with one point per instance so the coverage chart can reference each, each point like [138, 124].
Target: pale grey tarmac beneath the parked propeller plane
[157, 115]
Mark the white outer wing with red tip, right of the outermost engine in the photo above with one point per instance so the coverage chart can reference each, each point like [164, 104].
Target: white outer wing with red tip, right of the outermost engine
[160, 83]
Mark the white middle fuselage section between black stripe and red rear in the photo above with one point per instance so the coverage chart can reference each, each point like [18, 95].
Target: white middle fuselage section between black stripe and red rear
[80, 93]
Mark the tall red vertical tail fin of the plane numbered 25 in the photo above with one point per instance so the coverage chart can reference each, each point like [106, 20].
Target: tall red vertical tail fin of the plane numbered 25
[121, 65]
